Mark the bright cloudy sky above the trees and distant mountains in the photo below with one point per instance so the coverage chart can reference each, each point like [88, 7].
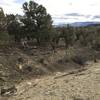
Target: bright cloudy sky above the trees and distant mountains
[62, 11]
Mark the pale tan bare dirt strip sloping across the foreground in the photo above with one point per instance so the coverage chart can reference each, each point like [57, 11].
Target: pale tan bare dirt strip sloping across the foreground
[83, 85]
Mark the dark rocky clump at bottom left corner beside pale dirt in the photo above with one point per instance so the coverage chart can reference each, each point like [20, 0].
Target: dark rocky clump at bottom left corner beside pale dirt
[7, 91]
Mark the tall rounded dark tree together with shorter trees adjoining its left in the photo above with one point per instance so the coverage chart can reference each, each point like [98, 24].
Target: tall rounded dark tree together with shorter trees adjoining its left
[36, 23]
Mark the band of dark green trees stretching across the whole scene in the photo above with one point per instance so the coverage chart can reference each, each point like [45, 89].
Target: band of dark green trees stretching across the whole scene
[36, 24]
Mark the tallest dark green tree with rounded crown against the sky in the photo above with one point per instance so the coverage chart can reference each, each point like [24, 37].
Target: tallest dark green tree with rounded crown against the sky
[37, 22]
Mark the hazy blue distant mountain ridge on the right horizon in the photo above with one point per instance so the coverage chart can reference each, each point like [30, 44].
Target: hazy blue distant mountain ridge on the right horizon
[79, 24]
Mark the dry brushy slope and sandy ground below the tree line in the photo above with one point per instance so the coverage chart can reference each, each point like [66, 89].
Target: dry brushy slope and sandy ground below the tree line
[40, 74]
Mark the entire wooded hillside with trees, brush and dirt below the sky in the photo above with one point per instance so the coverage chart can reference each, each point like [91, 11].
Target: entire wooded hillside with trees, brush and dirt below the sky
[41, 62]
